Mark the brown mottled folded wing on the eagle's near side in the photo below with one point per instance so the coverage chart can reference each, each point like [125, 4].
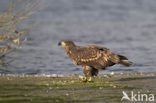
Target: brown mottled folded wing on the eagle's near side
[94, 55]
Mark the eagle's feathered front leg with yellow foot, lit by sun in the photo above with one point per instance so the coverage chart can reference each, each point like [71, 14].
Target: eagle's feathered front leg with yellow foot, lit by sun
[87, 70]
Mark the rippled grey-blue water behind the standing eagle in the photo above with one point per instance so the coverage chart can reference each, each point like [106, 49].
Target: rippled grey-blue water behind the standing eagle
[126, 27]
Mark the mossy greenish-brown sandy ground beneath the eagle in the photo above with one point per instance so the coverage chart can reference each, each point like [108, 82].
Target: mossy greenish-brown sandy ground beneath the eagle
[68, 88]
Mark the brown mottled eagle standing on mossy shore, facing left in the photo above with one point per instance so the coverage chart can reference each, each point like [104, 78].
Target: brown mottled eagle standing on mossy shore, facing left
[92, 58]
